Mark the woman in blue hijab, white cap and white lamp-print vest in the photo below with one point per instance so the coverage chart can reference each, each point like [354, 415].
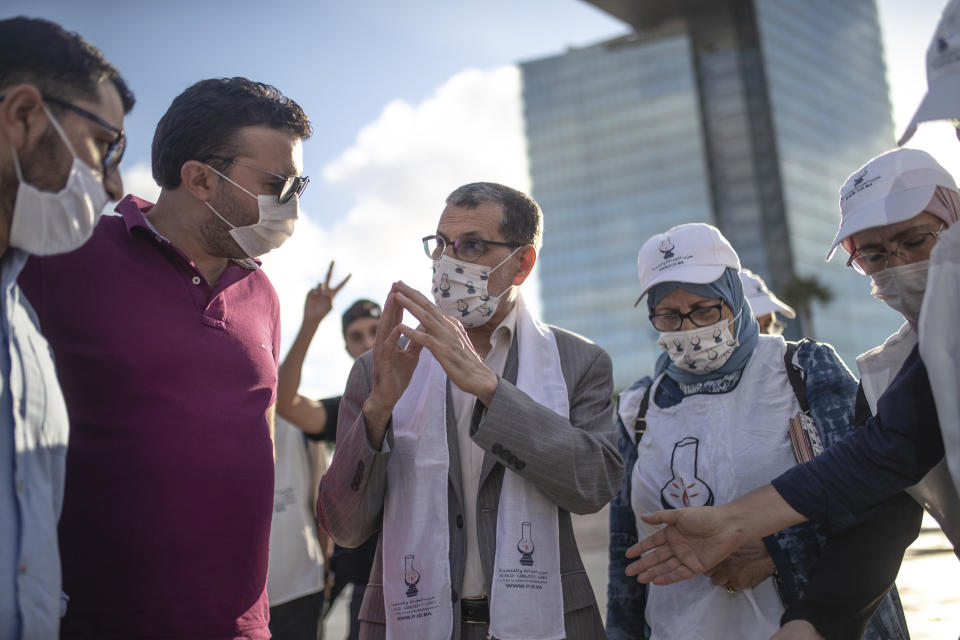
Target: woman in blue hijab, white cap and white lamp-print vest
[712, 425]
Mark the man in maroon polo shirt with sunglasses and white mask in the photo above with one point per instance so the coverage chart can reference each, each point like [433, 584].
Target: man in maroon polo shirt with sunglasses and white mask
[166, 337]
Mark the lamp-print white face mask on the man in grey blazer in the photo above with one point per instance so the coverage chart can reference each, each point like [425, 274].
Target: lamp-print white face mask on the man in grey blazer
[460, 290]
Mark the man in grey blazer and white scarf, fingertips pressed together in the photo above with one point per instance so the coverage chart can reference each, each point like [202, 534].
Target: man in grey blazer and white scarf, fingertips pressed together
[470, 443]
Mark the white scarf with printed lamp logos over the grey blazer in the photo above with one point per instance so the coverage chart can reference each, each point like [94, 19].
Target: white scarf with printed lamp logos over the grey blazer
[526, 600]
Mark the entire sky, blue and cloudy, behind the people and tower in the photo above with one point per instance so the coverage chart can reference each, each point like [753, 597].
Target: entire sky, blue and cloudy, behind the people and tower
[408, 100]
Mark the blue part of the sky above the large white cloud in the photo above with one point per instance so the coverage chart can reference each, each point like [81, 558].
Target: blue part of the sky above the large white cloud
[342, 61]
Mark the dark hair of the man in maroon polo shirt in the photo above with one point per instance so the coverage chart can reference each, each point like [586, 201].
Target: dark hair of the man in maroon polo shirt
[202, 122]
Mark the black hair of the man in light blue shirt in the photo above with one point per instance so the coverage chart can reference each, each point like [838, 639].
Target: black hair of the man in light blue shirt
[60, 63]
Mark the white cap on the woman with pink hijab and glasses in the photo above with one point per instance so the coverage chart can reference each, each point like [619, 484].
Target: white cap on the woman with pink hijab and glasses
[892, 187]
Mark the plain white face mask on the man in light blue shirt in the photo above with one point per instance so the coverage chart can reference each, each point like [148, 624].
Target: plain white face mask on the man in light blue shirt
[49, 222]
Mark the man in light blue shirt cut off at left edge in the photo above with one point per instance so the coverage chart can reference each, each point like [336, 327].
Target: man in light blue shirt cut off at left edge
[62, 106]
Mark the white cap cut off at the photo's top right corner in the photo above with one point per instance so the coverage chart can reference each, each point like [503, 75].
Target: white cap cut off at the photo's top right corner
[942, 101]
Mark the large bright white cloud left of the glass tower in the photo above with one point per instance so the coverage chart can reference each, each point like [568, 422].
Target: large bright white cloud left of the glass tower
[399, 170]
